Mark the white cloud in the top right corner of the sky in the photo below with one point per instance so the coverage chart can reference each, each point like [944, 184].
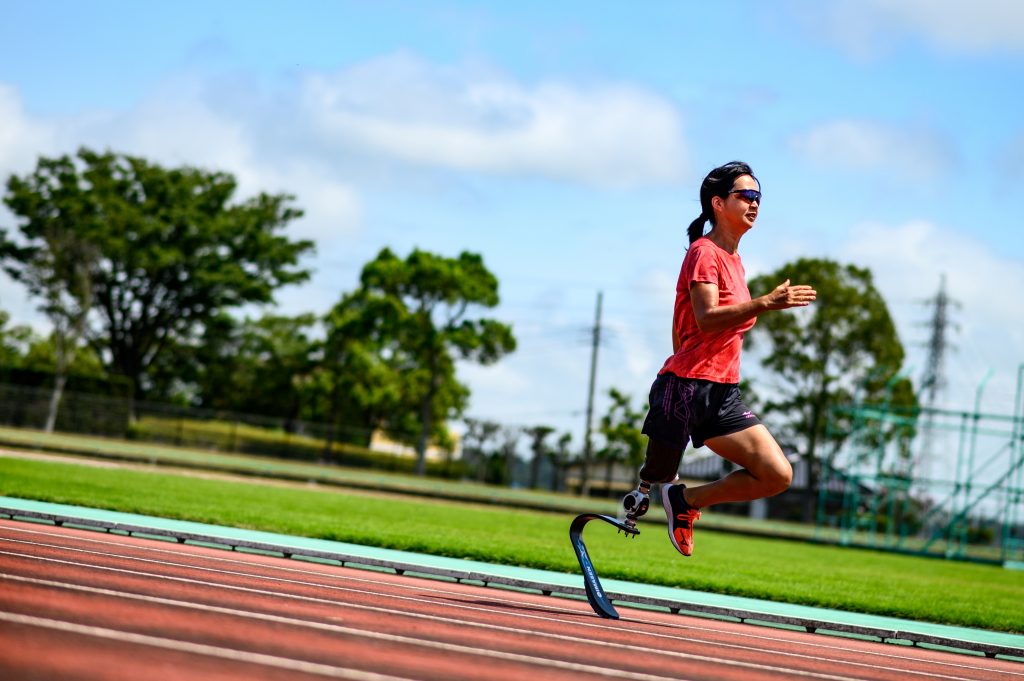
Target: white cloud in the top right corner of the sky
[866, 27]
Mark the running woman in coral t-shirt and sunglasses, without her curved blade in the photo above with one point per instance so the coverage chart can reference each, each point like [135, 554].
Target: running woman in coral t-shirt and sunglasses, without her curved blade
[696, 396]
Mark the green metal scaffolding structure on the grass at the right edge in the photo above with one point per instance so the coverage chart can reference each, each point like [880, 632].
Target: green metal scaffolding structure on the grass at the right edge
[969, 506]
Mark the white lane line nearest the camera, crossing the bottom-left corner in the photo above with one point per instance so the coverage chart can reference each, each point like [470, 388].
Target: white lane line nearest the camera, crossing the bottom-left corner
[198, 649]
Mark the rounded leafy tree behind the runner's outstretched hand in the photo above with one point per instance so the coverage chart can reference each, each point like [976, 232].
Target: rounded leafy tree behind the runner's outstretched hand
[824, 353]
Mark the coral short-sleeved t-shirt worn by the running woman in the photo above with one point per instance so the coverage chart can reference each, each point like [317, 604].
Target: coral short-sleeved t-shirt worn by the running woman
[713, 357]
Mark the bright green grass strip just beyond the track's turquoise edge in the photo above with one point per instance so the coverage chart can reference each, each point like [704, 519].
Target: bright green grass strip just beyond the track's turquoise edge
[855, 580]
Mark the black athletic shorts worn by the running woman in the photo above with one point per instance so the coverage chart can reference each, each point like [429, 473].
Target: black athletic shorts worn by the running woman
[684, 409]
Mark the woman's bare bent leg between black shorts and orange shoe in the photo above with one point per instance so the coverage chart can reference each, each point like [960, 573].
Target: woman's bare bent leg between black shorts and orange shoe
[765, 471]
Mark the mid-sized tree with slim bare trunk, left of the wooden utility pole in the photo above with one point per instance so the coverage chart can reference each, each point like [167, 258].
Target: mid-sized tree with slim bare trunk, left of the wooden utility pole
[428, 300]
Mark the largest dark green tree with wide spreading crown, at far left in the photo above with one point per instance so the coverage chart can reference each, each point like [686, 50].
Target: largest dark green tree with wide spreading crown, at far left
[173, 249]
